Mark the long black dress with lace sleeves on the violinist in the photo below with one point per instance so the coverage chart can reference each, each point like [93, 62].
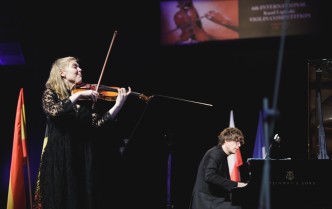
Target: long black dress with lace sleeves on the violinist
[65, 178]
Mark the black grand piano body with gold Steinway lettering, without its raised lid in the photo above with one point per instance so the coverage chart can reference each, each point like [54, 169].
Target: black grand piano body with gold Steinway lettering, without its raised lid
[291, 184]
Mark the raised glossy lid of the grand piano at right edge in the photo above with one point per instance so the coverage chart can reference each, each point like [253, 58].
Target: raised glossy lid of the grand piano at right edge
[319, 80]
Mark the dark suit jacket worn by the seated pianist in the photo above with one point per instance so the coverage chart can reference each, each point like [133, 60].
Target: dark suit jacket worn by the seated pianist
[213, 185]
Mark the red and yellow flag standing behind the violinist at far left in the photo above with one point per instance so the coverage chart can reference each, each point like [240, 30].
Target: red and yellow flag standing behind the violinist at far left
[16, 188]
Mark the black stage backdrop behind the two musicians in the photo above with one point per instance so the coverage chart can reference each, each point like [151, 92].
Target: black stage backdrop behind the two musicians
[230, 75]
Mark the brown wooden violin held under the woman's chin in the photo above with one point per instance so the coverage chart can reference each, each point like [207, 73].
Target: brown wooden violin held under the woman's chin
[106, 93]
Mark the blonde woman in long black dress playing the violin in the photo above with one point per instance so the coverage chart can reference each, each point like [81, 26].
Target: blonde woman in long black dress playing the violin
[65, 178]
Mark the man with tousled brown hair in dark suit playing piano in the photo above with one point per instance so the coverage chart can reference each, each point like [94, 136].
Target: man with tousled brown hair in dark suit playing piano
[213, 185]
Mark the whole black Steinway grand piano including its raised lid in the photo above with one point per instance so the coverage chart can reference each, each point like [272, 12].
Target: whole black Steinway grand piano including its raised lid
[297, 183]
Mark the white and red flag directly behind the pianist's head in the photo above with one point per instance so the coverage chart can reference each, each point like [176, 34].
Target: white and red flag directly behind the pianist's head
[234, 161]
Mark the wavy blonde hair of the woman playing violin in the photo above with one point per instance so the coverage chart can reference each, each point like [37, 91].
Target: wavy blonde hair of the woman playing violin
[55, 81]
